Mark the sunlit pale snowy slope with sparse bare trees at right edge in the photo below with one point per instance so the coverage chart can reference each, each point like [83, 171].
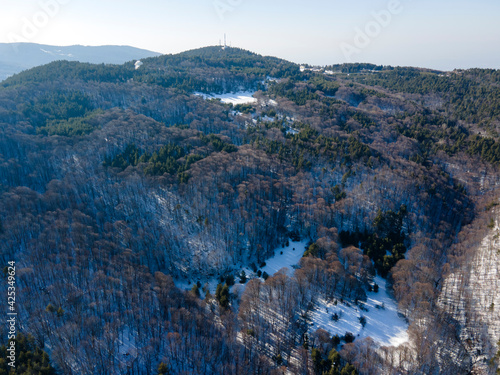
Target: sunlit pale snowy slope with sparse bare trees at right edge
[472, 296]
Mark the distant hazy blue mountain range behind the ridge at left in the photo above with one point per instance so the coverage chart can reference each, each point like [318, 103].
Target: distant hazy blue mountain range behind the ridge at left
[16, 57]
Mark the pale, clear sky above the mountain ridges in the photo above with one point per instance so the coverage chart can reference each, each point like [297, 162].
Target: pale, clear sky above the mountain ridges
[435, 34]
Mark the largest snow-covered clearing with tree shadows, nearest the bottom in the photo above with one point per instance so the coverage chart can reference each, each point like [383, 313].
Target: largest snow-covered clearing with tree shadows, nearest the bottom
[383, 324]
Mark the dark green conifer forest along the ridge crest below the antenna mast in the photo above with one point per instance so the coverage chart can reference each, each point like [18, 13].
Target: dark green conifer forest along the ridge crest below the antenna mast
[217, 70]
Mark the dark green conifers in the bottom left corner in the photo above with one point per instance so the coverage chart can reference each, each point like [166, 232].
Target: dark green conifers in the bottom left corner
[30, 359]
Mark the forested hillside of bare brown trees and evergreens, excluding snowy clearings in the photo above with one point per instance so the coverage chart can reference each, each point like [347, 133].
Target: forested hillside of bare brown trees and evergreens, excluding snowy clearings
[117, 184]
